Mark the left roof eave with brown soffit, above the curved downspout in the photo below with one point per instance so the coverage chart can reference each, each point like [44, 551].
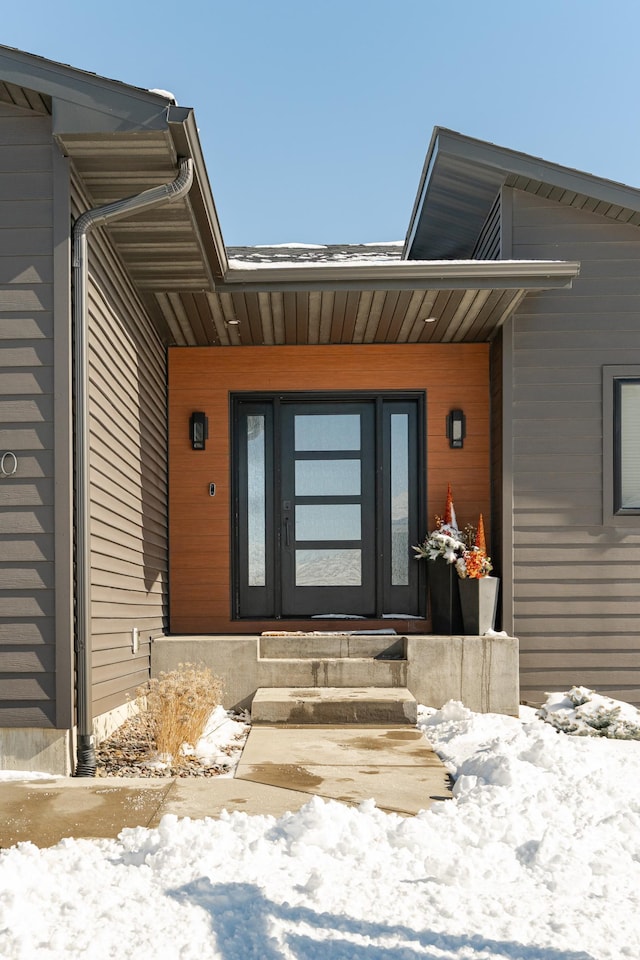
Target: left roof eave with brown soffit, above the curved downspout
[123, 140]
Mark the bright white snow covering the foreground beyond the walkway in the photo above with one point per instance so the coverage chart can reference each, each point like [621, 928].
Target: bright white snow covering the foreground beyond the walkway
[536, 858]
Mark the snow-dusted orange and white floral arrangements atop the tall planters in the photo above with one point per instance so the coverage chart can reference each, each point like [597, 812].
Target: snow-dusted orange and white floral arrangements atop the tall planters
[466, 548]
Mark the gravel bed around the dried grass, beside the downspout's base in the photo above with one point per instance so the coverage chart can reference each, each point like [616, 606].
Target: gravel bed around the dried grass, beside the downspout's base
[131, 752]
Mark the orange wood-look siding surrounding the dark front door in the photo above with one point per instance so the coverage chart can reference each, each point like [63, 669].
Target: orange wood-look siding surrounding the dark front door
[202, 378]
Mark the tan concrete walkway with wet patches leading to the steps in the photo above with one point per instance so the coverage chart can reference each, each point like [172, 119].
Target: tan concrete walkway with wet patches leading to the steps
[281, 767]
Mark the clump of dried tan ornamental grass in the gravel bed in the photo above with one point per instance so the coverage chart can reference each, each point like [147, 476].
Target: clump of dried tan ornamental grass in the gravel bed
[179, 703]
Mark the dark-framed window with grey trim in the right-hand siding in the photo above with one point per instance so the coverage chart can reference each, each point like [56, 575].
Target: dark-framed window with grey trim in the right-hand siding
[621, 444]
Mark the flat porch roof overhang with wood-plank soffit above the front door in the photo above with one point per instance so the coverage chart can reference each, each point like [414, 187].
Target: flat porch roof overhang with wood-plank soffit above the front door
[399, 302]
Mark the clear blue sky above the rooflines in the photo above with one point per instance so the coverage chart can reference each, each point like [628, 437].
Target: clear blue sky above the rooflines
[315, 117]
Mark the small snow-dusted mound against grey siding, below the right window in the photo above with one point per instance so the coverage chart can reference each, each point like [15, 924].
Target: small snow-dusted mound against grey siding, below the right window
[584, 713]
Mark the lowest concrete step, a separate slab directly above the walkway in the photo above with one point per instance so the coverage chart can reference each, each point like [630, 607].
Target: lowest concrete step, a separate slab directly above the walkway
[333, 705]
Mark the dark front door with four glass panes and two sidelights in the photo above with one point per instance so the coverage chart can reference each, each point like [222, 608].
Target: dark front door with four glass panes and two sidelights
[327, 495]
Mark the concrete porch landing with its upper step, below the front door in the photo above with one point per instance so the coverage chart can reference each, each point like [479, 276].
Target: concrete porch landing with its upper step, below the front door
[482, 672]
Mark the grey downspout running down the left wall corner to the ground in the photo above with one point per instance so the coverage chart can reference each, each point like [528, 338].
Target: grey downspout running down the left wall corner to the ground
[86, 762]
